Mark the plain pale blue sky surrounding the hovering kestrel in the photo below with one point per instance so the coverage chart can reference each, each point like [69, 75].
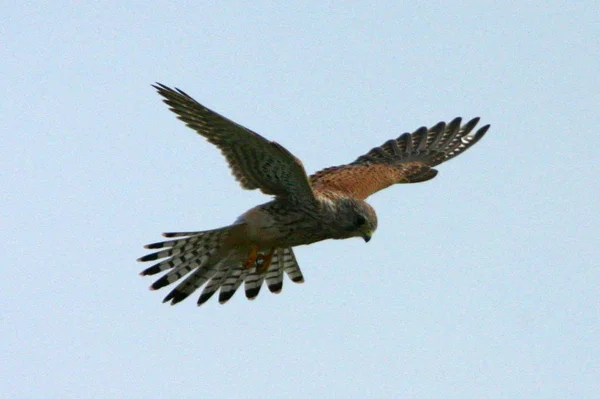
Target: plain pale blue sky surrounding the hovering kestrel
[483, 282]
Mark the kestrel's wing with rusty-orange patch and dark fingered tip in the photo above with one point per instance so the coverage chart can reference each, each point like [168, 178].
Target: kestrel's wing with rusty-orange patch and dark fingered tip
[408, 159]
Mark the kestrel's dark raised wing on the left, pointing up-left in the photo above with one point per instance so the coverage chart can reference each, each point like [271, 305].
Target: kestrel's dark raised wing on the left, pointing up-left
[254, 161]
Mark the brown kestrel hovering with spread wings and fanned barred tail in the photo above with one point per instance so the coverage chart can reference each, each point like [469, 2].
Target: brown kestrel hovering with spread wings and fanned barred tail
[330, 204]
